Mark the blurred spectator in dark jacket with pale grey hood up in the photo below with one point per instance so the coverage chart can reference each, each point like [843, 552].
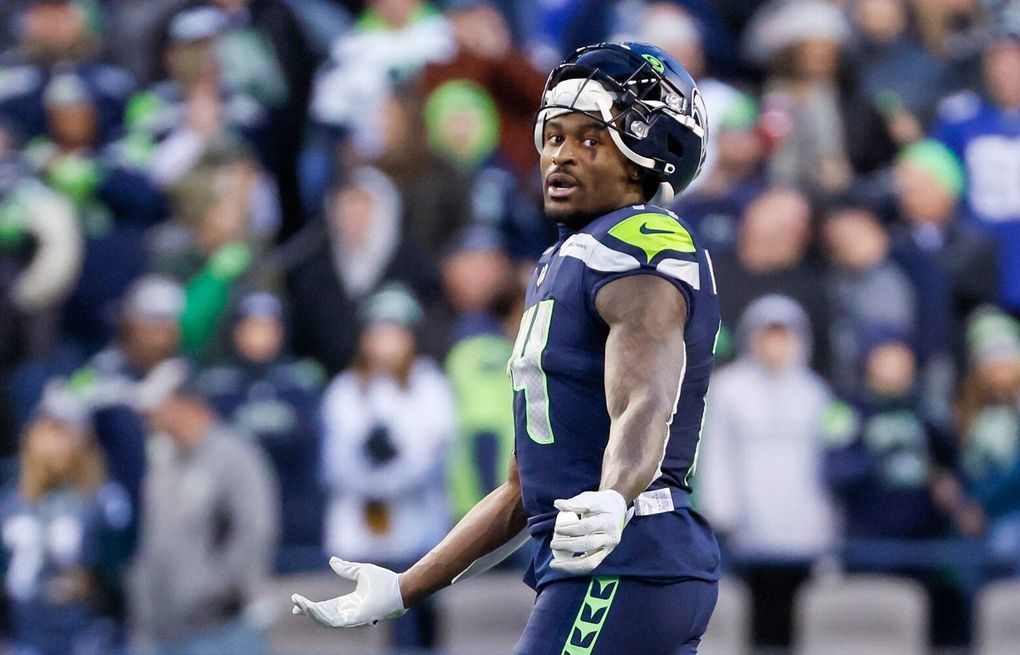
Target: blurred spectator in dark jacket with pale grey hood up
[362, 249]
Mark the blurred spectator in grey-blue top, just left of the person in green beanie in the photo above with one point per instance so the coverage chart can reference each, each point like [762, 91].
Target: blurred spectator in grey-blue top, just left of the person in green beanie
[865, 289]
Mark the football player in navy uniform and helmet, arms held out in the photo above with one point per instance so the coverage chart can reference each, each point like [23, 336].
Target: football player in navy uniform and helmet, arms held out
[610, 371]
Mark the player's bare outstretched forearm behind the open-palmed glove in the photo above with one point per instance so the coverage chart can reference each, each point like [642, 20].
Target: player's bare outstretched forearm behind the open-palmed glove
[491, 524]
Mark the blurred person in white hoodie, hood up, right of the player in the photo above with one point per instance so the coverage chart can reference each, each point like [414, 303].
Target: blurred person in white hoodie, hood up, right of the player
[759, 474]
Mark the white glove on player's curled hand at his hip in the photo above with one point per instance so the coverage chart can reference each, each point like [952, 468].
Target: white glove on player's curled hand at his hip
[589, 527]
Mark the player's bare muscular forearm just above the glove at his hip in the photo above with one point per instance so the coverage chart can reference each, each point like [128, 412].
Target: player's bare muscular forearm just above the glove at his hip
[637, 441]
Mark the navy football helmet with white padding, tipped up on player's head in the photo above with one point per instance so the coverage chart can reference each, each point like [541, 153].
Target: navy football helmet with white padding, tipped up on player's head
[649, 103]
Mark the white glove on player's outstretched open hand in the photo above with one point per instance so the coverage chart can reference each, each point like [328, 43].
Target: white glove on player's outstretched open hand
[376, 598]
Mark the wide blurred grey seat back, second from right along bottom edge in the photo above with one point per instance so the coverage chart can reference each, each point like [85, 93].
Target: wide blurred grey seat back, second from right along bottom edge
[861, 614]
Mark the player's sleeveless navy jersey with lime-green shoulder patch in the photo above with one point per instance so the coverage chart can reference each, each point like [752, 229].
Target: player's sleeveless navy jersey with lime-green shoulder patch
[558, 373]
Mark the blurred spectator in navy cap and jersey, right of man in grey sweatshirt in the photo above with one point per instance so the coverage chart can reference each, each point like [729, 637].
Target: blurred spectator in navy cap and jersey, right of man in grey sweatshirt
[264, 393]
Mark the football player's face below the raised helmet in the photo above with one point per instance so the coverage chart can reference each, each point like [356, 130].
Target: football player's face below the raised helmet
[584, 174]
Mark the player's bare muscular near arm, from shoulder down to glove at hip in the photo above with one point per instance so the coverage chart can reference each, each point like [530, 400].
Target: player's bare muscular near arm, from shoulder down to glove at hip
[645, 358]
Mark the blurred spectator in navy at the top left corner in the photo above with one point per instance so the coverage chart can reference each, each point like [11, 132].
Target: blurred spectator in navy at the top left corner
[57, 37]
